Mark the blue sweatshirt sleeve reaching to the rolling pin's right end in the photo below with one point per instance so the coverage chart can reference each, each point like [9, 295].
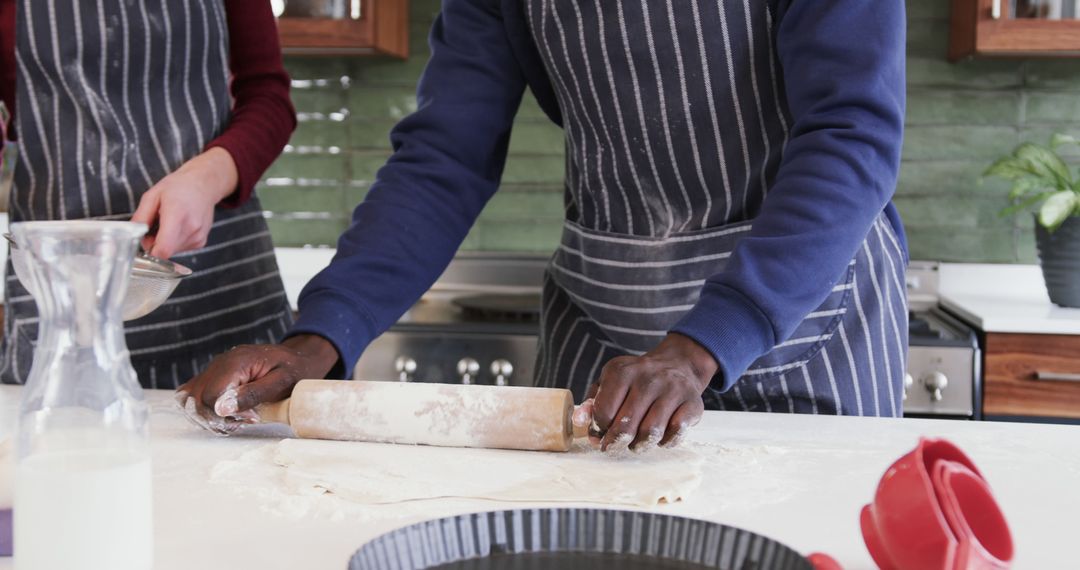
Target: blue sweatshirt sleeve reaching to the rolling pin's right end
[843, 67]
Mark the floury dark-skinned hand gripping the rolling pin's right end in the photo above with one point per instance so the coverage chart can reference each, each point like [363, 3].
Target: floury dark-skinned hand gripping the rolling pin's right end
[641, 402]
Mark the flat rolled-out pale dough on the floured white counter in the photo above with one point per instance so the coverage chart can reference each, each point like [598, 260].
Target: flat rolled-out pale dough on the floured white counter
[387, 473]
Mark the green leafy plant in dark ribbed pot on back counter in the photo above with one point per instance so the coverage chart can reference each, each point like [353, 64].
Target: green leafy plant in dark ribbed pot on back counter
[1042, 179]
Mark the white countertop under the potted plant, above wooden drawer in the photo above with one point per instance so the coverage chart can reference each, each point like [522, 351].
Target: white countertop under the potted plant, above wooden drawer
[1005, 298]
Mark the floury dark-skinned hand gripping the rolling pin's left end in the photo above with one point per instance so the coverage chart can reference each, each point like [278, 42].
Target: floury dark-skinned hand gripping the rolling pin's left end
[223, 398]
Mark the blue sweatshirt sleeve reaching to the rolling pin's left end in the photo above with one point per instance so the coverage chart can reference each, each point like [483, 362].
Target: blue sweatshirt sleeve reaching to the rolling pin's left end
[448, 161]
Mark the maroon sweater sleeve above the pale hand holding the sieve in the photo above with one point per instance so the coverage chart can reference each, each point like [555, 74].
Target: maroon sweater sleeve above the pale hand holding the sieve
[263, 115]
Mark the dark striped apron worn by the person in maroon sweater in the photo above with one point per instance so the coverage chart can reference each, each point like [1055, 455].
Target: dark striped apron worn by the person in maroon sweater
[113, 96]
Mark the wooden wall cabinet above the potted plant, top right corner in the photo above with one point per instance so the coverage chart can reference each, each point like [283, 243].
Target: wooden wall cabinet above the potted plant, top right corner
[987, 29]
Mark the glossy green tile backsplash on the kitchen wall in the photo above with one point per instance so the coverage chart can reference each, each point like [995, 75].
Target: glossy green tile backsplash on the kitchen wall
[961, 117]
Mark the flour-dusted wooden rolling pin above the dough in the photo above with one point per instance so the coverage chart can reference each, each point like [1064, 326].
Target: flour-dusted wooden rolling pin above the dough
[427, 414]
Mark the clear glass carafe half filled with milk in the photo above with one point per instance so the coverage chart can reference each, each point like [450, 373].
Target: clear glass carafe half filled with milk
[83, 479]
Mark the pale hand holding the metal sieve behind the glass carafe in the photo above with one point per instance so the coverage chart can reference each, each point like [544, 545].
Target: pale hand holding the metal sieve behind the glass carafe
[183, 203]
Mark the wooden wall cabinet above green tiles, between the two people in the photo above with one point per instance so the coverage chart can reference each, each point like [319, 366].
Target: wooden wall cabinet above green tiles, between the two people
[382, 29]
